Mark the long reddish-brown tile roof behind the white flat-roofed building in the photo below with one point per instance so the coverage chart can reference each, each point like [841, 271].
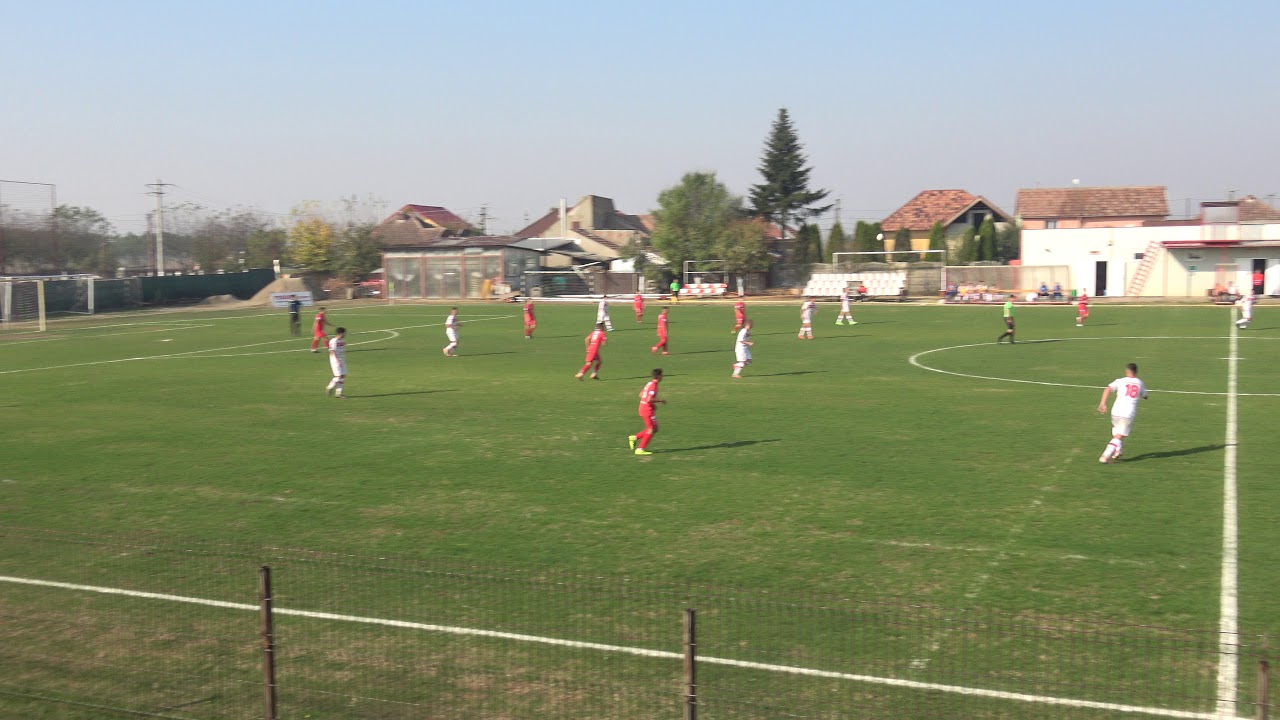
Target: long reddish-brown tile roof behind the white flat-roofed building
[1064, 208]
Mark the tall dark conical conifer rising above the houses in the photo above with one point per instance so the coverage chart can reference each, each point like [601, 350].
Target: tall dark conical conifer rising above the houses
[784, 197]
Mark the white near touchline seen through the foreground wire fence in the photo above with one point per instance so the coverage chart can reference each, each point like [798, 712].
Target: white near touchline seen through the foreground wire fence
[636, 651]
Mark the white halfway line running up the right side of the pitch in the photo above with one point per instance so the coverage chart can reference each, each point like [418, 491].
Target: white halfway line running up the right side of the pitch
[1228, 625]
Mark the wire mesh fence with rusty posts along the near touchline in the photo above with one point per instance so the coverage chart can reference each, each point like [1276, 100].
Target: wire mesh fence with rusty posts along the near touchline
[112, 626]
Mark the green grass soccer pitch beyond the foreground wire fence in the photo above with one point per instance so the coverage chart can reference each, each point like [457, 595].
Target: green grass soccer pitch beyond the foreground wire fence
[907, 457]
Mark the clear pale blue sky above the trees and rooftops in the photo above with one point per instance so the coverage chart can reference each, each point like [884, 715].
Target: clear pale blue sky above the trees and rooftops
[516, 104]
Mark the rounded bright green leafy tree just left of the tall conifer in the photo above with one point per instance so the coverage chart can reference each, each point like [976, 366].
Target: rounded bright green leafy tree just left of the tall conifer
[692, 217]
